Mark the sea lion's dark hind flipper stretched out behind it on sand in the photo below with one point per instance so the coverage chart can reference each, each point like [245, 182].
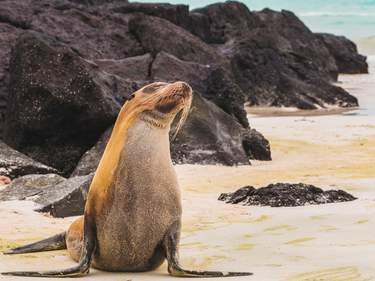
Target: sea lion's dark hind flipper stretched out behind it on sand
[56, 242]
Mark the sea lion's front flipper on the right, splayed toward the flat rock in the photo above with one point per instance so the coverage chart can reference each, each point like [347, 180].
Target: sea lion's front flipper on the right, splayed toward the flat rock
[171, 249]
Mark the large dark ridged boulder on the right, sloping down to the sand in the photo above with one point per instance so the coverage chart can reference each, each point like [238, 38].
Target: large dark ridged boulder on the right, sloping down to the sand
[275, 67]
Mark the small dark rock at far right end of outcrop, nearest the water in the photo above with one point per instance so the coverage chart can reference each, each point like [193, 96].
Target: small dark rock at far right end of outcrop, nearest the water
[345, 53]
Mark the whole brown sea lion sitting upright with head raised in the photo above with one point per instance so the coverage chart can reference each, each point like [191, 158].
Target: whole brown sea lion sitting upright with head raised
[132, 216]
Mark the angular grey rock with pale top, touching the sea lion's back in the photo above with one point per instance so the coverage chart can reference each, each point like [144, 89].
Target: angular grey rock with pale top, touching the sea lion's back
[67, 198]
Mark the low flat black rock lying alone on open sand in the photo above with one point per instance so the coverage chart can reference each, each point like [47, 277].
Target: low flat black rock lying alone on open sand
[285, 195]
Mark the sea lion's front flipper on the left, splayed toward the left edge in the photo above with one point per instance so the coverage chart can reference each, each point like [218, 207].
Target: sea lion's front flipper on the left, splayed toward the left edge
[88, 249]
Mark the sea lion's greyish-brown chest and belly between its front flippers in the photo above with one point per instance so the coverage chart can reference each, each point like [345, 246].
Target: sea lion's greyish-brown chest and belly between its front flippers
[143, 202]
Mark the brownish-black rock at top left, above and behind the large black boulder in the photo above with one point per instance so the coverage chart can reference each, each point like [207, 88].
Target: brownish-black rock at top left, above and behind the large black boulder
[94, 32]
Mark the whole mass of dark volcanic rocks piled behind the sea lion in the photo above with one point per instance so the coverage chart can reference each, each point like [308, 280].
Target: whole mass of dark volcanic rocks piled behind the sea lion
[230, 56]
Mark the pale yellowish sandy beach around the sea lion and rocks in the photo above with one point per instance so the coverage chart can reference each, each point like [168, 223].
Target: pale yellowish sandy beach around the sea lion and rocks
[331, 242]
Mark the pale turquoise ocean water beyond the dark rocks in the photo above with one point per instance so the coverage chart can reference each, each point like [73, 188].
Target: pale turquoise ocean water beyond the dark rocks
[352, 18]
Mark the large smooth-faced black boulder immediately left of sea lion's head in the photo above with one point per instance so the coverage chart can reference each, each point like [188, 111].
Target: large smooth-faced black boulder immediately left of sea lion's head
[58, 104]
